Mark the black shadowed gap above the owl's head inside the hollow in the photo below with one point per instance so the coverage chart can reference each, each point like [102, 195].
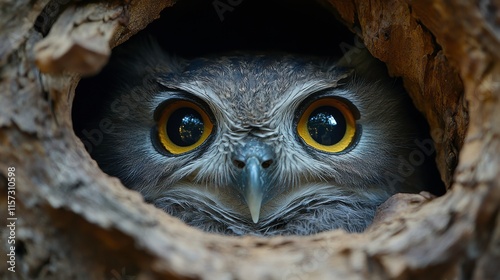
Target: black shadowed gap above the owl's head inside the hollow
[194, 28]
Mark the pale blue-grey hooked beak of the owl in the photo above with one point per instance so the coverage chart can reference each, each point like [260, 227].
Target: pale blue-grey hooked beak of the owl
[254, 187]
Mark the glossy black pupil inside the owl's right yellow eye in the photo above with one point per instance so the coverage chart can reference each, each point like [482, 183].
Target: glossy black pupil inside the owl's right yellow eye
[327, 125]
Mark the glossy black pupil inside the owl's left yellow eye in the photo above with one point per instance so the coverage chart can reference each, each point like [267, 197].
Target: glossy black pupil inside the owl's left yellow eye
[185, 127]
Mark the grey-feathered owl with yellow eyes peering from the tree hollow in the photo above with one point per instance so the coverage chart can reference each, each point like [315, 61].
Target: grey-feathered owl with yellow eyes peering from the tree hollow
[257, 143]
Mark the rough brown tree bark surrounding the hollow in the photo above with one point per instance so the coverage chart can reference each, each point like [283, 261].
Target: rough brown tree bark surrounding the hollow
[74, 222]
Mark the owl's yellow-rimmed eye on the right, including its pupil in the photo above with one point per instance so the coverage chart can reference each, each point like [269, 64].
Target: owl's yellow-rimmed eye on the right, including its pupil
[328, 125]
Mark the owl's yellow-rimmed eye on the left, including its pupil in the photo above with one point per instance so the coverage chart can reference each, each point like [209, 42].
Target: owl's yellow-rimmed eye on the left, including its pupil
[183, 127]
